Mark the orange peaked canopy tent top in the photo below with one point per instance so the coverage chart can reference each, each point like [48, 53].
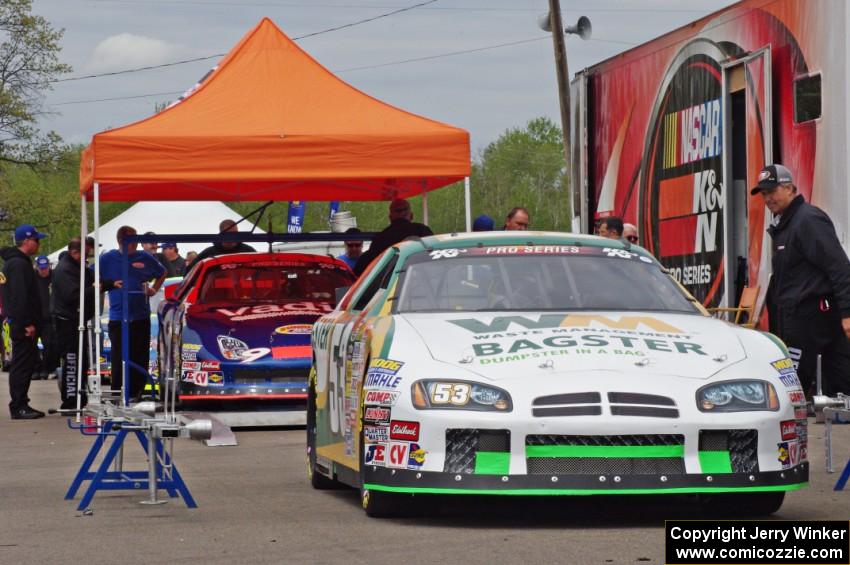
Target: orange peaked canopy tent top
[270, 123]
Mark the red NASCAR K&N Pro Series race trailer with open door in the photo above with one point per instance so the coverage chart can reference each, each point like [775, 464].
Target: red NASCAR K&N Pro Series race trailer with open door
[671, 134]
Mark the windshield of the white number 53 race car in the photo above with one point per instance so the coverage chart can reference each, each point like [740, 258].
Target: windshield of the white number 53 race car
[507, 278]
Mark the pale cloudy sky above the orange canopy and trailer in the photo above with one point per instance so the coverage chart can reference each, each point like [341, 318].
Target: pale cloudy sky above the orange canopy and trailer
[483, 65]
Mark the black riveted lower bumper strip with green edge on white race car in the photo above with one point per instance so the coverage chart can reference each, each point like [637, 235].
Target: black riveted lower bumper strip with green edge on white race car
[411, 481]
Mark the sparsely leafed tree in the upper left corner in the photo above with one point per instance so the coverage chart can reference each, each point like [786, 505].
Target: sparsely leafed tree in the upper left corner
[29, 61]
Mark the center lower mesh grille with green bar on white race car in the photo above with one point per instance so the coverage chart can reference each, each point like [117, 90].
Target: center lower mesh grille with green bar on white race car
[601, 465]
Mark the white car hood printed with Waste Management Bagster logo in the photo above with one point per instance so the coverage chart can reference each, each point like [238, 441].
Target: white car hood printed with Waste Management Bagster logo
[501, 346]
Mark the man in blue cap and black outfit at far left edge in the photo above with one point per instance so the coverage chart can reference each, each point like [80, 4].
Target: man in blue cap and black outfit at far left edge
[23, 309]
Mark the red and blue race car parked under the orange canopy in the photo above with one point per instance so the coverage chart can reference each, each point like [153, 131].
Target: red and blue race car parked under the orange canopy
[236, 333]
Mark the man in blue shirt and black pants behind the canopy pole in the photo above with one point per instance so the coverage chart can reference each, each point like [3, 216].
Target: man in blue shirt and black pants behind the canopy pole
[143, 268]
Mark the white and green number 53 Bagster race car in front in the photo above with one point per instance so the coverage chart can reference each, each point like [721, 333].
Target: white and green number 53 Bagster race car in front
[553, 364]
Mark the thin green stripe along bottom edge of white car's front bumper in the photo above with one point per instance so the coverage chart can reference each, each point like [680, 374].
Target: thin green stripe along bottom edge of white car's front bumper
[580, 492]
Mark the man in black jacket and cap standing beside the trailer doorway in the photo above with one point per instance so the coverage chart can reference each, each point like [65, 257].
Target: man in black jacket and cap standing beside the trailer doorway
[808, 298]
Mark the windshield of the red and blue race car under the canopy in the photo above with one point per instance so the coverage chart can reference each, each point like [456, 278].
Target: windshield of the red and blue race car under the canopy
[272, 282]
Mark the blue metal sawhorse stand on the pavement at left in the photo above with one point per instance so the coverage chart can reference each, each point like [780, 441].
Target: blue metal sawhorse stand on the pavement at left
[103, 479]
